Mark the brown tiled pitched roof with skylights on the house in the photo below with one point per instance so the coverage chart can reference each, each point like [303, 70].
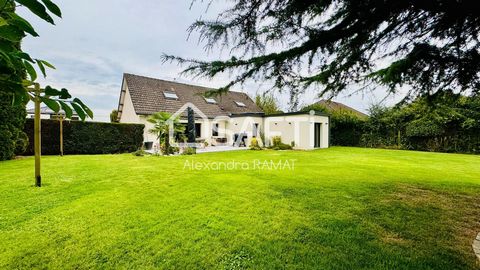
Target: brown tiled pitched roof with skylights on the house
[148, 97]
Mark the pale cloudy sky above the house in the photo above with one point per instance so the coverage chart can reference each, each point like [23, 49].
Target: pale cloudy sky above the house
[97, 41]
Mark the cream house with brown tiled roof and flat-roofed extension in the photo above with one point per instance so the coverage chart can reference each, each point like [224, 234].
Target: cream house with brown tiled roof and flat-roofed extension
[219, 120]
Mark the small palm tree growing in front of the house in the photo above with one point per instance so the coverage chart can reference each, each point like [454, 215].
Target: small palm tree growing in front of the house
[161, 129]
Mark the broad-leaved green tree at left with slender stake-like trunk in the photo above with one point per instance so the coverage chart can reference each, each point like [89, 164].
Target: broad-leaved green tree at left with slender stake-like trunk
[17, 72]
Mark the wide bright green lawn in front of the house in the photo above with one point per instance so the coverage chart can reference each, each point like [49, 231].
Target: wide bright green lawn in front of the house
[340, 208]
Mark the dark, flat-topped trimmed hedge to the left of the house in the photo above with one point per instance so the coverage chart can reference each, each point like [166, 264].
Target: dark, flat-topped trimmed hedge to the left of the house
[86, 137]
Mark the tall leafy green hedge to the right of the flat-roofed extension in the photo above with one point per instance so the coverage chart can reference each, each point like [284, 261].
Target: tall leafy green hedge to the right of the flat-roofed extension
[442, 122]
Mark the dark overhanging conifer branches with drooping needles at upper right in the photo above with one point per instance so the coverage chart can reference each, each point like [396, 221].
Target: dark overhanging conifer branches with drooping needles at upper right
[429, 45]
